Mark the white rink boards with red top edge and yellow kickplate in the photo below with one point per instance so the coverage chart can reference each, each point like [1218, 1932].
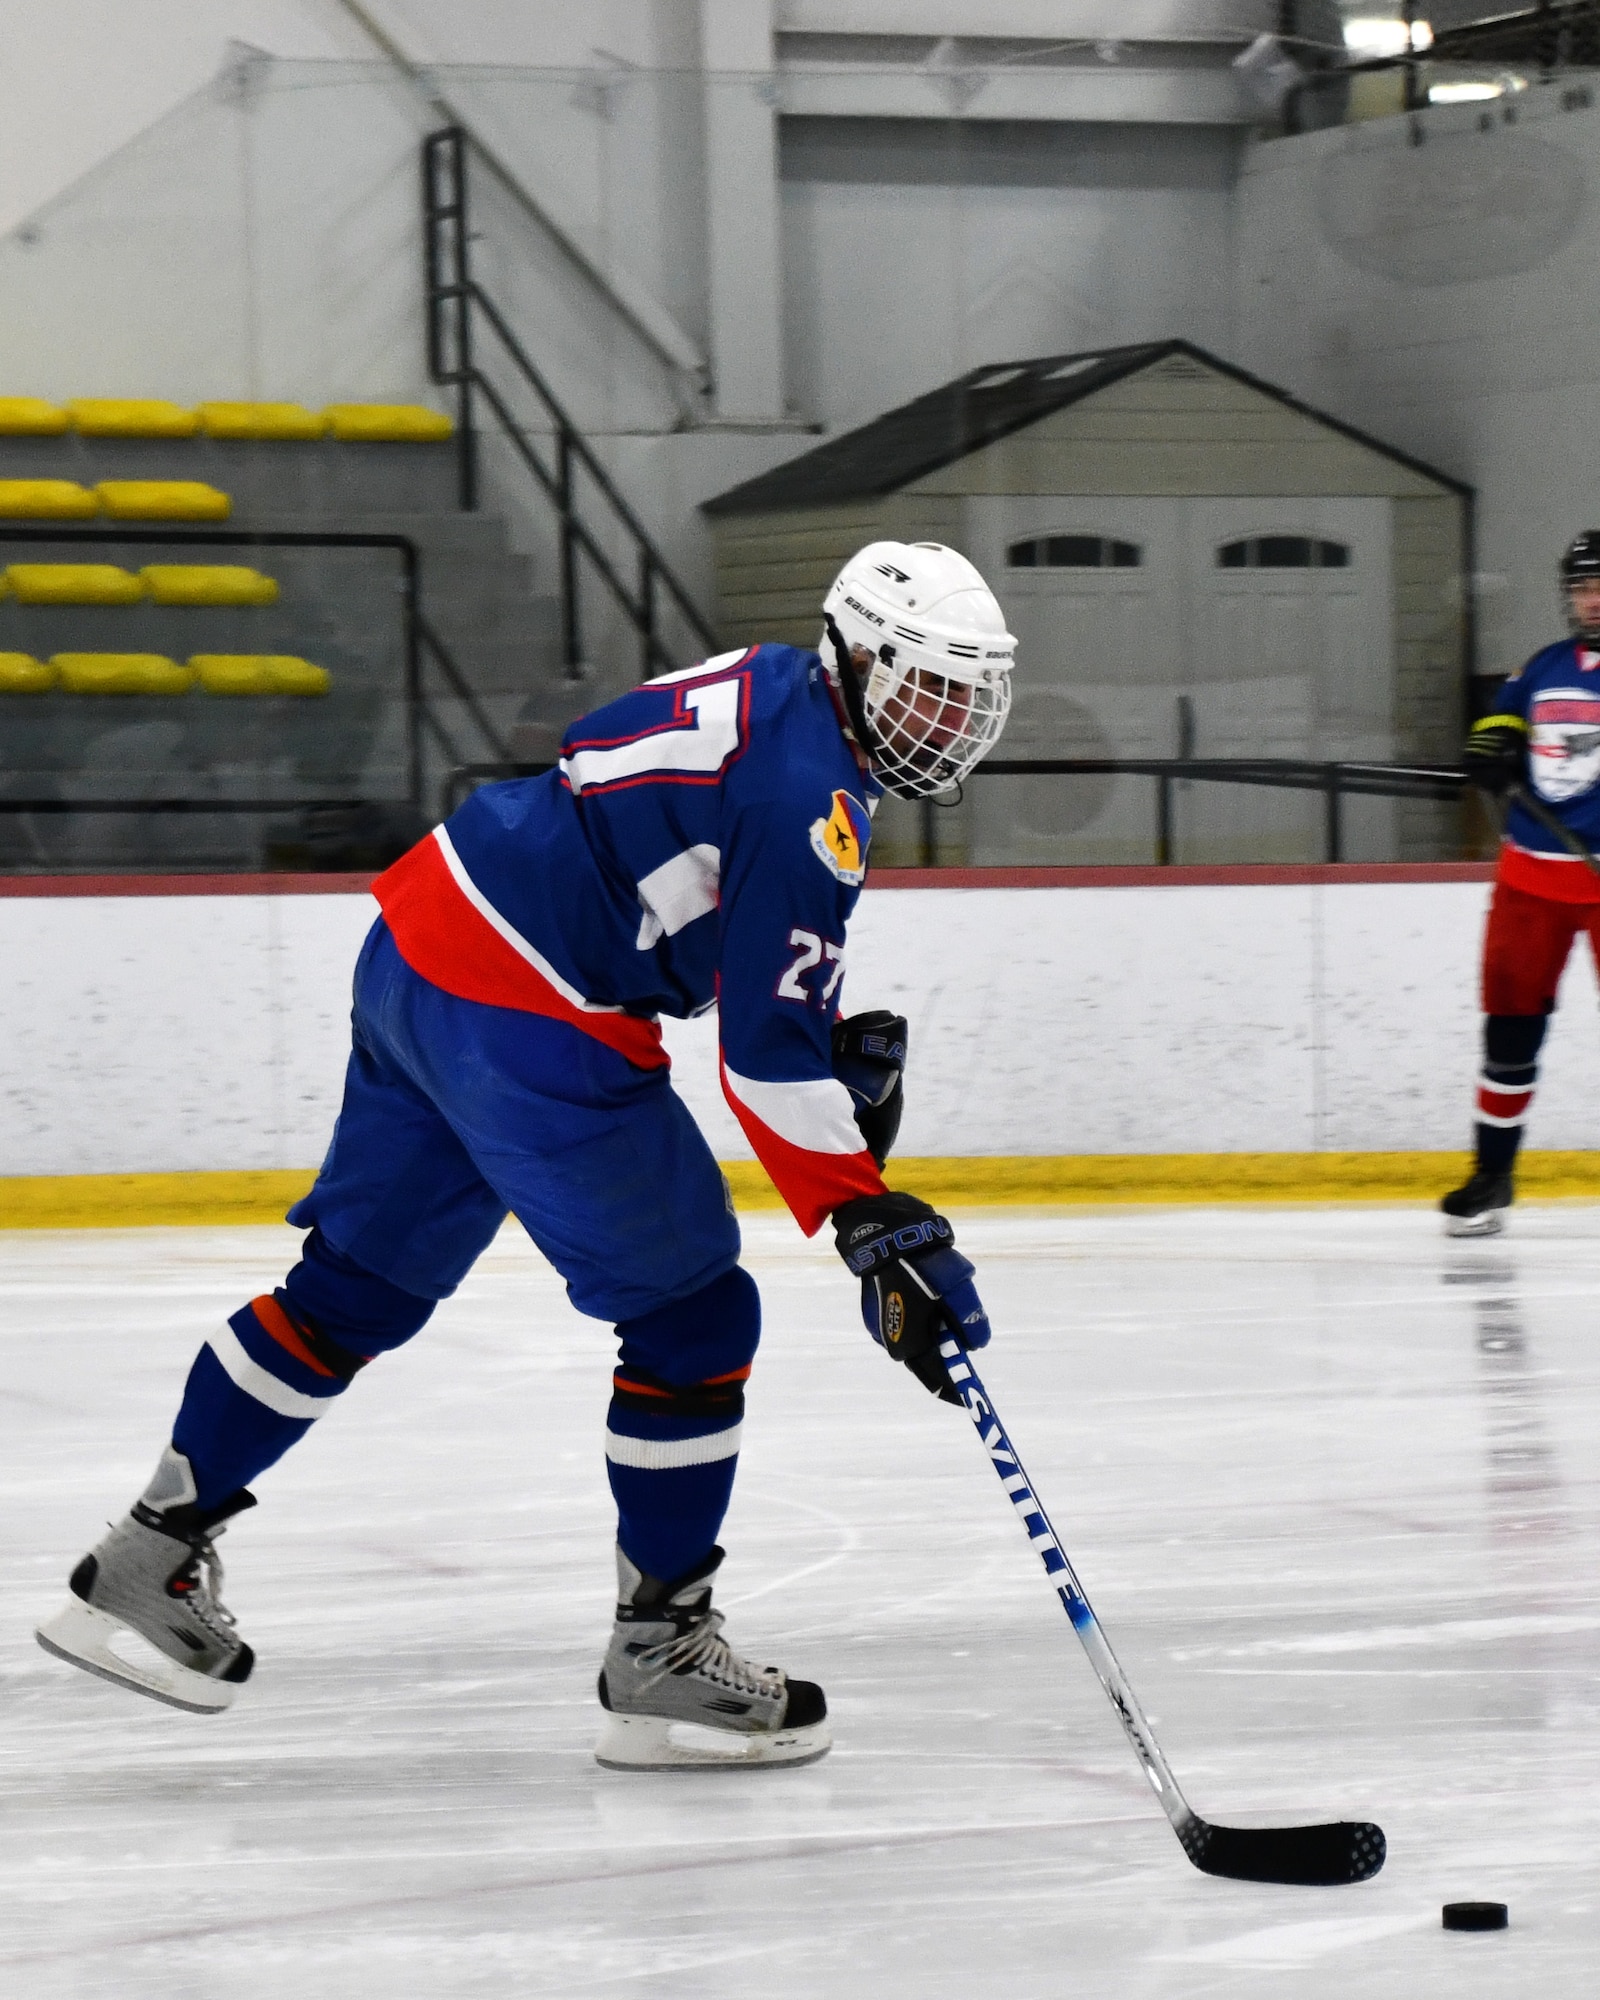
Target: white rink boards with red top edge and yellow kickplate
[1075, 1035]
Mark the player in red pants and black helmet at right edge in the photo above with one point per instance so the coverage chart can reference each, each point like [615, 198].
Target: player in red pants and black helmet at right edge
[1545, 733]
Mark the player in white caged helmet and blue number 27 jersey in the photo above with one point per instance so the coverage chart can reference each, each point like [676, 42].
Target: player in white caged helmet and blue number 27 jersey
[701, 845]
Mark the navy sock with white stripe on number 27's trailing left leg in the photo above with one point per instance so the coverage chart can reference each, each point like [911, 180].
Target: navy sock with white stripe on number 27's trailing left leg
[271, 1371]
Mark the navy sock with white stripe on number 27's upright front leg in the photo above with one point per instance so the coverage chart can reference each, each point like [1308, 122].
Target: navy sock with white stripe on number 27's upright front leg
[675, 1423]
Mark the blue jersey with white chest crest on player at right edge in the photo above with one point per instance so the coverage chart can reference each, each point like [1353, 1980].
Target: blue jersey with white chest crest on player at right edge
[1557, 699]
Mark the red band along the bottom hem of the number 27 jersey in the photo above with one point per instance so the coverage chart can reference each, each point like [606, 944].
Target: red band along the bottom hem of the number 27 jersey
[457, 949]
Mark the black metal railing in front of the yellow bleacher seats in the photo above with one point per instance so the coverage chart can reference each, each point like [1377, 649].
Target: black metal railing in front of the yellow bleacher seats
[419, 641]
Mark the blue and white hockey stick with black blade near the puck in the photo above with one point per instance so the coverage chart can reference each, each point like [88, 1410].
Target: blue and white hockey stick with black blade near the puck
[1317, 1857]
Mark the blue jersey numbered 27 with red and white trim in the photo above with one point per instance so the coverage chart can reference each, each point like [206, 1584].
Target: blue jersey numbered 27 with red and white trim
[703, 843]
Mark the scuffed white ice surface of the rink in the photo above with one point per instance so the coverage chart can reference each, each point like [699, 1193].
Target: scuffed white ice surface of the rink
[1329, 1481]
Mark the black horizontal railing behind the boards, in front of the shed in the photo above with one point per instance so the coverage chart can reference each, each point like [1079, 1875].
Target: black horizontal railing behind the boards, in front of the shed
[1285, 775]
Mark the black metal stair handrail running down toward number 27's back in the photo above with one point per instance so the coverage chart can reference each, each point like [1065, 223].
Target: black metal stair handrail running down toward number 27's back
[459, 309]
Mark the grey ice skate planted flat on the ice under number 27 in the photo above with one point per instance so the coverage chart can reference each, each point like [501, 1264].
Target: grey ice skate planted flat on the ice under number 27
[677, 1697]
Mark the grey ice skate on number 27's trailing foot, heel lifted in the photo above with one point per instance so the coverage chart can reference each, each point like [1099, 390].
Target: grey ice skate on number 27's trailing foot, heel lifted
[145, 1607]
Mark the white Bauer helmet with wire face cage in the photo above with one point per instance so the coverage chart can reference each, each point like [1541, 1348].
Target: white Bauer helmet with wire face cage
[939, 689]
